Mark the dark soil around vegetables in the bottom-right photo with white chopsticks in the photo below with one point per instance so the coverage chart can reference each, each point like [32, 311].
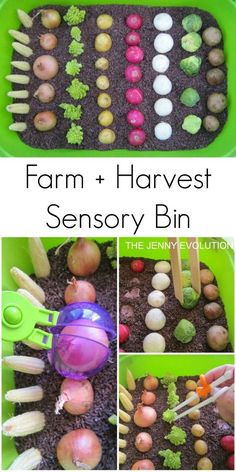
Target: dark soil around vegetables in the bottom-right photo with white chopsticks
[214, 427]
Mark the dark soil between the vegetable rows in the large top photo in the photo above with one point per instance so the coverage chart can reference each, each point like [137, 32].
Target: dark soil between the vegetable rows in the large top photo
[180, 139]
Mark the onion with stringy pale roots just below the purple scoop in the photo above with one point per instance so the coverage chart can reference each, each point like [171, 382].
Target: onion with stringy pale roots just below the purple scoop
[76, 397]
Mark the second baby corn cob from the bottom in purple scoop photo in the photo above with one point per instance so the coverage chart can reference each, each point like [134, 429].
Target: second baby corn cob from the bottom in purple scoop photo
[25, 424]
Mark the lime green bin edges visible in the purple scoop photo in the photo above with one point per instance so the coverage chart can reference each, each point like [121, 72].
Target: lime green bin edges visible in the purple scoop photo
[15, 253]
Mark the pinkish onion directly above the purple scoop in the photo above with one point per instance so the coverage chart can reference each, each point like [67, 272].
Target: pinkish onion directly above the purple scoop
[79, 291]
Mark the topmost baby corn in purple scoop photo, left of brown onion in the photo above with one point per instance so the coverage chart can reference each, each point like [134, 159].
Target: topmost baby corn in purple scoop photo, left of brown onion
[39, 258]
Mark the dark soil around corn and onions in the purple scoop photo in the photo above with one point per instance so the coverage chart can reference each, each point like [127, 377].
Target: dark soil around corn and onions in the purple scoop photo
[104, 383]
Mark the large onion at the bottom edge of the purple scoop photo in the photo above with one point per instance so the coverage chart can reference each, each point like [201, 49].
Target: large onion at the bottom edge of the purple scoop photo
[79, 450]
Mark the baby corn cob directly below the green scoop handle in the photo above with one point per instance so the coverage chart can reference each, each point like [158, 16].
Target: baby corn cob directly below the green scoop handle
[25, 364]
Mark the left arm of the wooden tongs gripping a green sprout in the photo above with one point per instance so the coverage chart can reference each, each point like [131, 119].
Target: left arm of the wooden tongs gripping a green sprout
[176, 268]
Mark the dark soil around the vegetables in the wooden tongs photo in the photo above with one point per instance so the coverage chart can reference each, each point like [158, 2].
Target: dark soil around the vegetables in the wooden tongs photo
[171, 308]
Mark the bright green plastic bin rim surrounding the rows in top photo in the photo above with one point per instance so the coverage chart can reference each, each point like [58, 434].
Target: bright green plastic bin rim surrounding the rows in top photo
[224, 145]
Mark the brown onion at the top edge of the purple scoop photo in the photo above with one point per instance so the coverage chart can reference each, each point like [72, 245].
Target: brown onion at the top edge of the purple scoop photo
[83, 257]
